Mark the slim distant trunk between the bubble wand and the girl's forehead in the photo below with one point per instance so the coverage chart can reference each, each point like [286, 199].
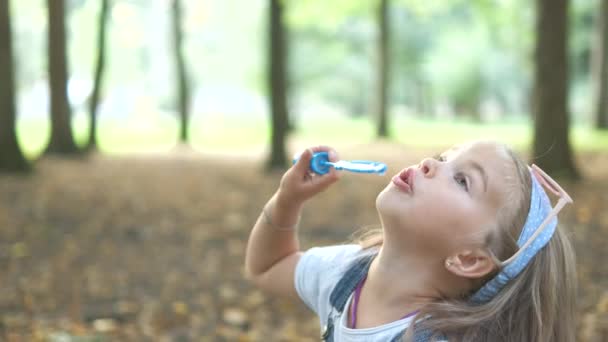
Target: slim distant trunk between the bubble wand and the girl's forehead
[383, 68]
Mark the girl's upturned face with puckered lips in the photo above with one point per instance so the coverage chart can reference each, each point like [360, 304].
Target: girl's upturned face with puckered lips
[449, 200]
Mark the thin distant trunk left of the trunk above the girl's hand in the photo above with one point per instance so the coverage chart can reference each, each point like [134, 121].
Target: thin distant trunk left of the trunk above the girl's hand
[183, 86]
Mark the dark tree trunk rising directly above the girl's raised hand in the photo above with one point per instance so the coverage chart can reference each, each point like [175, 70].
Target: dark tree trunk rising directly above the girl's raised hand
[277, 83]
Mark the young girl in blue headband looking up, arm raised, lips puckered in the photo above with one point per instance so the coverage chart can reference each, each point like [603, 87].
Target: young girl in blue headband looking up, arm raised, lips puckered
[469, 250]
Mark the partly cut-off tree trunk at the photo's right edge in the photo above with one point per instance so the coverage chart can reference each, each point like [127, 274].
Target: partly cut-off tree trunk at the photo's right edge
[600, 68]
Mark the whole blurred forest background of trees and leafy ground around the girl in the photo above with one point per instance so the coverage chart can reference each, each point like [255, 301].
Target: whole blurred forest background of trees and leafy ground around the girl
[139, 140]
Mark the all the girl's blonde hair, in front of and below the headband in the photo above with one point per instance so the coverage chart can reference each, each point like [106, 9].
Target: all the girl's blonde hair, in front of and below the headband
[538, 305]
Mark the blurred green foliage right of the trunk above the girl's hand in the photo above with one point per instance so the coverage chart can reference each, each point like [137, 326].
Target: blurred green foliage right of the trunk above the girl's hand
[459, 54]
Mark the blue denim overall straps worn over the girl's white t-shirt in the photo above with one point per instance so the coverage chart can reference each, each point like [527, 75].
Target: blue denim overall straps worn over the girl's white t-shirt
[344, 288]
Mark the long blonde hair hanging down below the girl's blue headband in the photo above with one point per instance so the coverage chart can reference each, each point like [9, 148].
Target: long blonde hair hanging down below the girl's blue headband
[536, 306]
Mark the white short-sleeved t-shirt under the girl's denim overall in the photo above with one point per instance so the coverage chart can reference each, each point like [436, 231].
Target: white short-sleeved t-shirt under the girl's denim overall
[317, 272]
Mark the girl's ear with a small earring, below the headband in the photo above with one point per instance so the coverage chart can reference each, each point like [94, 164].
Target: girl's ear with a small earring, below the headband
[470, 264]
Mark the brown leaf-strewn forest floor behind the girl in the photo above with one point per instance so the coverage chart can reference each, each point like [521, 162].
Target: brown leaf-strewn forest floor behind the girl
[151, 247]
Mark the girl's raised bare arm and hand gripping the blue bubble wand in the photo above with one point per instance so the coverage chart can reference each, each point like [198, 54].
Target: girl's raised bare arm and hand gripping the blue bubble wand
[273, 249]
